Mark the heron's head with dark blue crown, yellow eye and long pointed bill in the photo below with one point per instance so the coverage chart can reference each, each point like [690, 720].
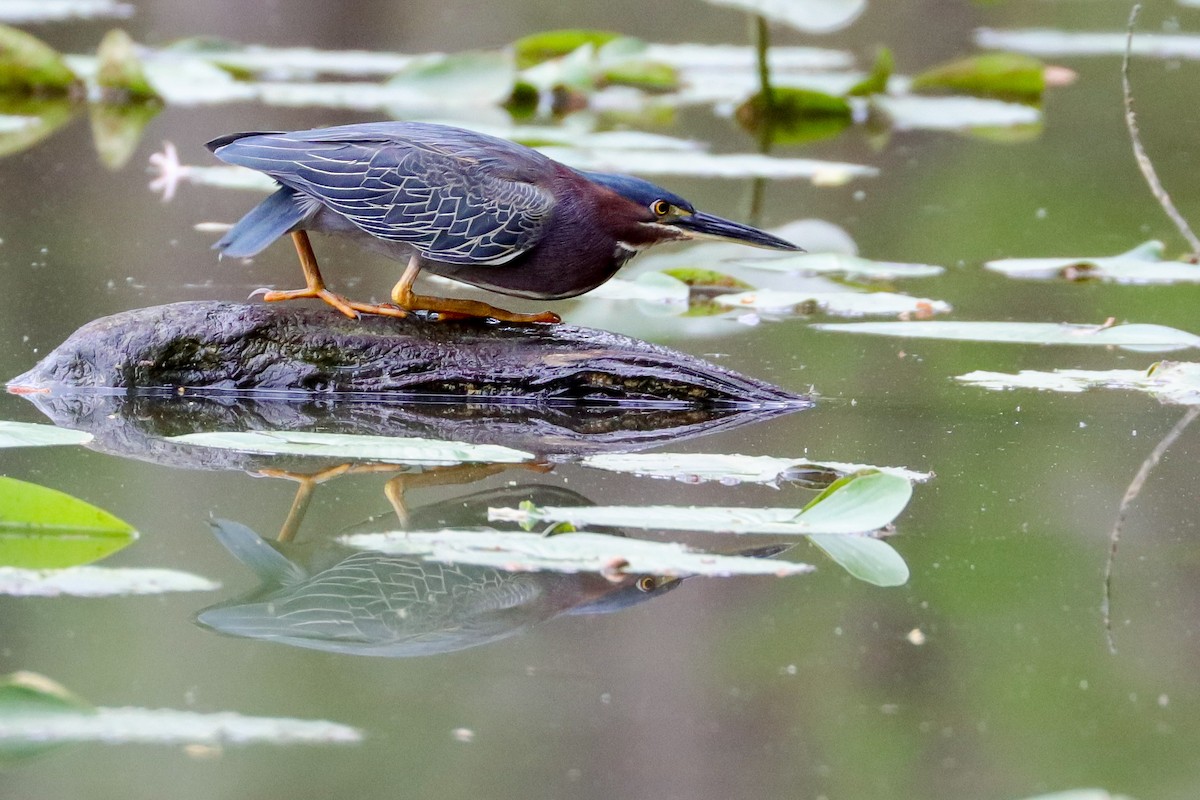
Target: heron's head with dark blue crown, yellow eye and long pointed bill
[650, 215]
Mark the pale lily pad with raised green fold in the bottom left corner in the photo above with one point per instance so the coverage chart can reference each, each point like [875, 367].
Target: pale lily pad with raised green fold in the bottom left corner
[37, 712]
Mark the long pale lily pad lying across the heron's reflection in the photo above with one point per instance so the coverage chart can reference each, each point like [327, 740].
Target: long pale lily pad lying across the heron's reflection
[574, 552]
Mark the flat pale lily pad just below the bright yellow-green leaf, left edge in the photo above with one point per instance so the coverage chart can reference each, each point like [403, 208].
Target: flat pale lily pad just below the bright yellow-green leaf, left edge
[99, 582]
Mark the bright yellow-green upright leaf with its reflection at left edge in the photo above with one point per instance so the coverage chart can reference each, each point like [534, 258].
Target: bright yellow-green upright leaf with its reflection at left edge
[43, 528]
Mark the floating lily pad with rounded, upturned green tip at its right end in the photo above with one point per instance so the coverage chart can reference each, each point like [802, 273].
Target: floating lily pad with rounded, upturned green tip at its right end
[860, 504]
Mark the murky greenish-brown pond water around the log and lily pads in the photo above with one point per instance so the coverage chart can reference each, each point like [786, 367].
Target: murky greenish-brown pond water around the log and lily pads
[802, 688]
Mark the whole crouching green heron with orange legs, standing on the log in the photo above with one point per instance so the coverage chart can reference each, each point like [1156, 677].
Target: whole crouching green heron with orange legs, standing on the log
[460, 204]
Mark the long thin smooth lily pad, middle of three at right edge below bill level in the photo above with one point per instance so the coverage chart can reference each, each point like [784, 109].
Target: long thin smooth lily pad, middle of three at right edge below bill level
[1144, 339]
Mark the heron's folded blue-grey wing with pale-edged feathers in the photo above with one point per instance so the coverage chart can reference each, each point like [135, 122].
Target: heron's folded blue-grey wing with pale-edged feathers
[451, 204]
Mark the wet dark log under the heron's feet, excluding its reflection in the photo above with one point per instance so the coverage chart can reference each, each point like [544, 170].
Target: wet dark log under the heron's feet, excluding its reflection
[221, 348]
